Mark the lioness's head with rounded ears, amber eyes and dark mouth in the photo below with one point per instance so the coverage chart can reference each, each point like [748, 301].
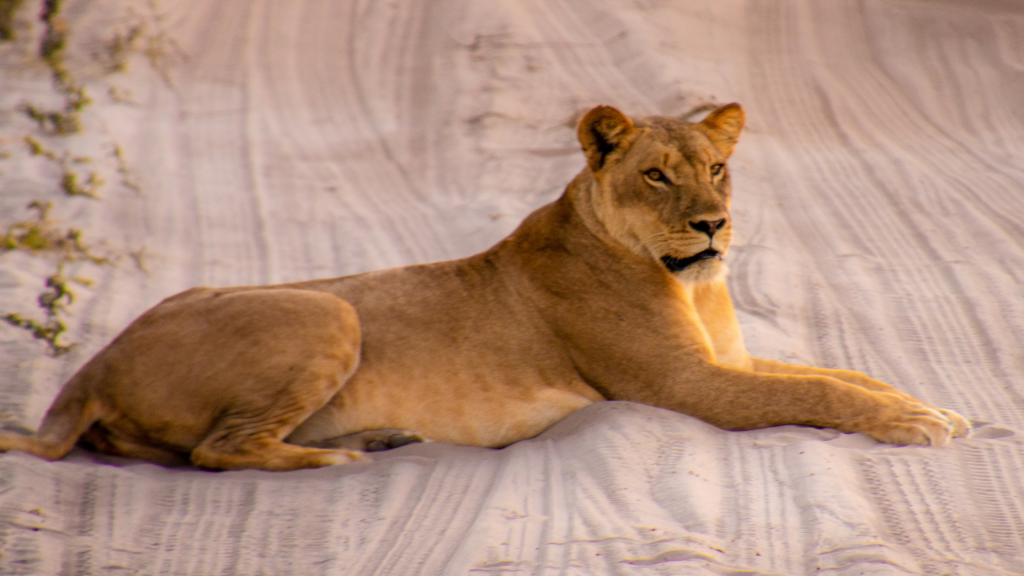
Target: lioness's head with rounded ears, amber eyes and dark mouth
[662, 185]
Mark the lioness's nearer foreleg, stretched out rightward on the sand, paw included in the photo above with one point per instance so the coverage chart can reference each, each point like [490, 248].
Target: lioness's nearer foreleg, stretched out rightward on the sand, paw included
[740, 400]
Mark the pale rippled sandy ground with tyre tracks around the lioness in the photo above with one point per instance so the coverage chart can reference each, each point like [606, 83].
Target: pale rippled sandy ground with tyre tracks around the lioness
[879, 202]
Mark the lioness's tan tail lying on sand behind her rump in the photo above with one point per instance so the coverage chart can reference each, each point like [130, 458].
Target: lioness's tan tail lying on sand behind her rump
[72, 415]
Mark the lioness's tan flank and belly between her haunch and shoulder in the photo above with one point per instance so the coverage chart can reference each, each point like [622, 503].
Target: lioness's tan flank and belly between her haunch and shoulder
[453, 354]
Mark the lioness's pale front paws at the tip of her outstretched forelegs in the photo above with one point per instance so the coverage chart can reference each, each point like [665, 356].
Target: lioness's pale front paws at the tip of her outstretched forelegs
[910, 422]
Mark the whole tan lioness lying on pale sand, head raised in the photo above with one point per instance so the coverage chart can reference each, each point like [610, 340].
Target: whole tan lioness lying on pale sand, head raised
[615, 292]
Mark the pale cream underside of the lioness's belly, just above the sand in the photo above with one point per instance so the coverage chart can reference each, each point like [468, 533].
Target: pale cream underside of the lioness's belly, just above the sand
[473, 414]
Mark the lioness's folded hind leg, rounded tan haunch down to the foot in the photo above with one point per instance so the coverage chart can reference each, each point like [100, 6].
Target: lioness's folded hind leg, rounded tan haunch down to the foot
[249, 369]
